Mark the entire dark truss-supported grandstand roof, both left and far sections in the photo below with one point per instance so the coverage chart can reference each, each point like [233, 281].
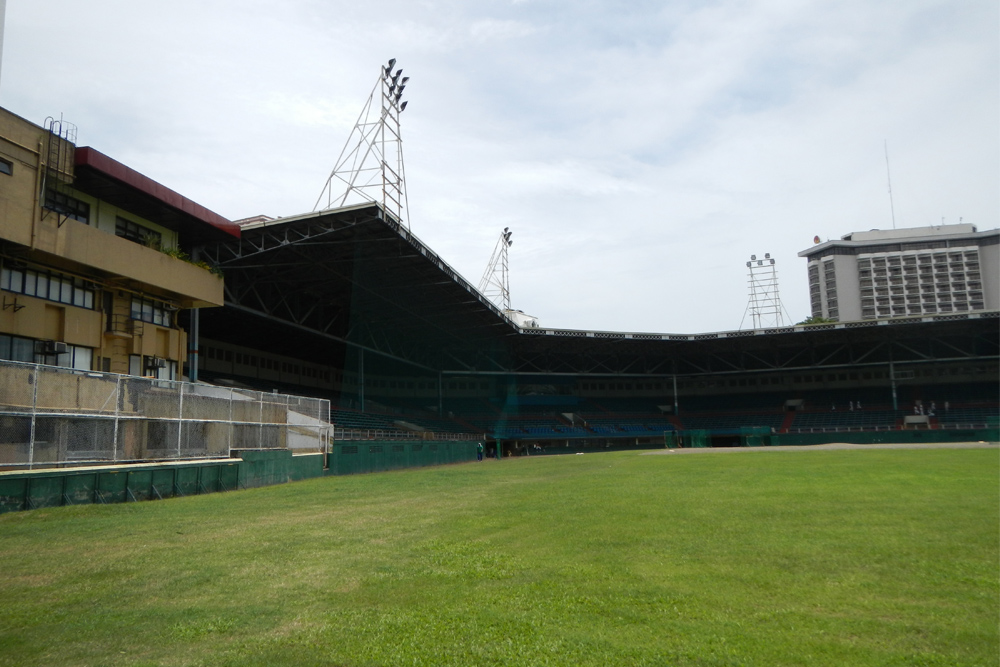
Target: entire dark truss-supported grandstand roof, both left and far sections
[354, 276]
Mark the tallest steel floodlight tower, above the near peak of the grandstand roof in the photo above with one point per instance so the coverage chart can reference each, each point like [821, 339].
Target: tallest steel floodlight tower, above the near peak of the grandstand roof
[370, 166]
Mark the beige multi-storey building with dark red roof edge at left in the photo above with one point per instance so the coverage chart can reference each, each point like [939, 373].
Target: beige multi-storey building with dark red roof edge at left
[94, 257]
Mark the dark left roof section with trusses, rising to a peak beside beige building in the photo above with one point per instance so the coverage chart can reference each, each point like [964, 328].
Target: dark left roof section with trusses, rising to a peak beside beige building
[357, 277]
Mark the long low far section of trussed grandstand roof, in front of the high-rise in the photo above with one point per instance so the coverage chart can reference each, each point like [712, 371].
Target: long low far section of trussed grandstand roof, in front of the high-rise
[849, 345]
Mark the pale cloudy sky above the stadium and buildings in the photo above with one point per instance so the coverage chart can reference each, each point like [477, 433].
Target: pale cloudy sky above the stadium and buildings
[640, 151]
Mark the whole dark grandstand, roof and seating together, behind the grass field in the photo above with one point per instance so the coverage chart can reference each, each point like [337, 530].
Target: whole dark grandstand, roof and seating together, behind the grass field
[350, 305]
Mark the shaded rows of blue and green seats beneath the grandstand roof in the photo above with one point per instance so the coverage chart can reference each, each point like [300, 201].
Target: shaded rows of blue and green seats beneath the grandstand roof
[638, 417]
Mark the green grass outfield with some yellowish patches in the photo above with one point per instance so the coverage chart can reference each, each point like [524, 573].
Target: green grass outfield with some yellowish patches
[743, 558]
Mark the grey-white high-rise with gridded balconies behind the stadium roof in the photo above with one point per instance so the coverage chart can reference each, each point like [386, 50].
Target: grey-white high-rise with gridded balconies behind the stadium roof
[905, 272]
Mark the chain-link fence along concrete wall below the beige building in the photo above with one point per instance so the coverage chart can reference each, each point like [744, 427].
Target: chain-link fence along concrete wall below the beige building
[51, 415]
